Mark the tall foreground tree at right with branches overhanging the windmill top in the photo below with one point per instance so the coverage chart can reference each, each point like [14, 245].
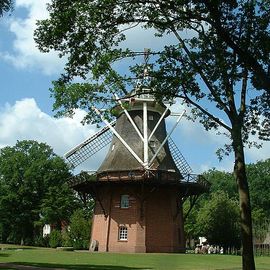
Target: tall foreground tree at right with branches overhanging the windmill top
[220, 70]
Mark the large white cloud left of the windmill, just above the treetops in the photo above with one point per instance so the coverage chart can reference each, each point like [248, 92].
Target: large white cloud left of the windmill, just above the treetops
[25, 121]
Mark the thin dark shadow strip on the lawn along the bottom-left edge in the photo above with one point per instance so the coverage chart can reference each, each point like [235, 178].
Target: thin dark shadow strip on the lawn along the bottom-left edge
[79, 266]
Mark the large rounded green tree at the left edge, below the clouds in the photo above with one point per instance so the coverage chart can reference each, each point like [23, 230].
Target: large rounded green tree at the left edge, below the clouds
[29, 172]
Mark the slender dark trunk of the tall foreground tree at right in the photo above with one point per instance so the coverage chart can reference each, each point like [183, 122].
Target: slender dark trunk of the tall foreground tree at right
[244, 200]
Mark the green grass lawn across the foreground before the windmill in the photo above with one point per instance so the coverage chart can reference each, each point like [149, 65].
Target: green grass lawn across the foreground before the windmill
[43, 257]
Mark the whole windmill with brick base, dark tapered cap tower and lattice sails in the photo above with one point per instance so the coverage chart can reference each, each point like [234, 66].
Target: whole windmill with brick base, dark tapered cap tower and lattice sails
[142, 183]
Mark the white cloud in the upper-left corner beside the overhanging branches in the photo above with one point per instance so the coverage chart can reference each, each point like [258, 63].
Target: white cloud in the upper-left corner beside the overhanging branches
[25, 54]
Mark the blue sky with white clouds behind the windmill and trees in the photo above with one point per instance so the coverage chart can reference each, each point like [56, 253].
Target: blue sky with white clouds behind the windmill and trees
[26, 106]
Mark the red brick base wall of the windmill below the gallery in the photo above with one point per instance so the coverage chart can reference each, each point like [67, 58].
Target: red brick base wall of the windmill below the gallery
[151, 225]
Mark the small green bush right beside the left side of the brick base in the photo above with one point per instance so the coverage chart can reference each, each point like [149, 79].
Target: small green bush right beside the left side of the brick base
[79, 230]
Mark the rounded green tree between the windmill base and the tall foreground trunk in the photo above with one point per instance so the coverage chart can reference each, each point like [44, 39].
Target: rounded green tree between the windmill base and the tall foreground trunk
[218, 221]
